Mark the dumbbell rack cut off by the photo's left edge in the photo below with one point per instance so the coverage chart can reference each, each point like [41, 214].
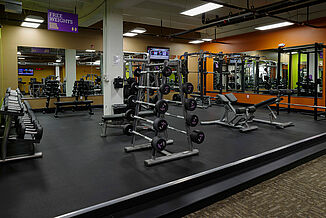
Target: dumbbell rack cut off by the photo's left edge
[8, 115]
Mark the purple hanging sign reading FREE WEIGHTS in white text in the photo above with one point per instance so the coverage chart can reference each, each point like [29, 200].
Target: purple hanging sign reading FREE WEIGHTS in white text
[62, 21]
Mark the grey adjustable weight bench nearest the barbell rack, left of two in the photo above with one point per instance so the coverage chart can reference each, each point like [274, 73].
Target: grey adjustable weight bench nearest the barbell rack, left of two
[233, 117]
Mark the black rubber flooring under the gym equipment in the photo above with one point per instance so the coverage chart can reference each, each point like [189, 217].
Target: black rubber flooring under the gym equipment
[81, 169]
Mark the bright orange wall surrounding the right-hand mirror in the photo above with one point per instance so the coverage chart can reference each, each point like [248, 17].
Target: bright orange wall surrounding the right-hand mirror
[261, 40]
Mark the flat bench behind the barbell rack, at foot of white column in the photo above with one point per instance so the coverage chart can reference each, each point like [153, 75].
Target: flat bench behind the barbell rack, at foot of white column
[118, 121]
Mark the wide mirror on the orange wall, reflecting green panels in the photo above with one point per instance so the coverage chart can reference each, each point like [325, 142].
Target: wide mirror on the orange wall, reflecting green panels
[257, 71]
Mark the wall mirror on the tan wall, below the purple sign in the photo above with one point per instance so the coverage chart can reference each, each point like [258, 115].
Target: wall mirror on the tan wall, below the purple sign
[38, 65]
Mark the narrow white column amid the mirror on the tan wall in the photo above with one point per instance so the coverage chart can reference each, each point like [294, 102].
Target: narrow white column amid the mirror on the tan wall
[70, 68]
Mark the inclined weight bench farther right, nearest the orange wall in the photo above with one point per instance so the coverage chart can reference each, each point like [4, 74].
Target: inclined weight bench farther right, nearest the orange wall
[272, 115]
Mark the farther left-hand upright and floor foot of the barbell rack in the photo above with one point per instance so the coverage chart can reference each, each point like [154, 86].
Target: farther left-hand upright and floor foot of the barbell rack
[143, 81]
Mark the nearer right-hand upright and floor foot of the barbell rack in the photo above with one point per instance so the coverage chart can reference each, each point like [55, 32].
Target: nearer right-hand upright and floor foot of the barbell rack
[166, 155]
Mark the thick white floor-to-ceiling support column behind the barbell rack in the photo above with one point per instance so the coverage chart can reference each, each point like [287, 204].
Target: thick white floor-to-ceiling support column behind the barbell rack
[112, 54]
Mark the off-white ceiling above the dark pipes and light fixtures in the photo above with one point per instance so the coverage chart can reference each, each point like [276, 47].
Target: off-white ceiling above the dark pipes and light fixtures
[153, 11]
